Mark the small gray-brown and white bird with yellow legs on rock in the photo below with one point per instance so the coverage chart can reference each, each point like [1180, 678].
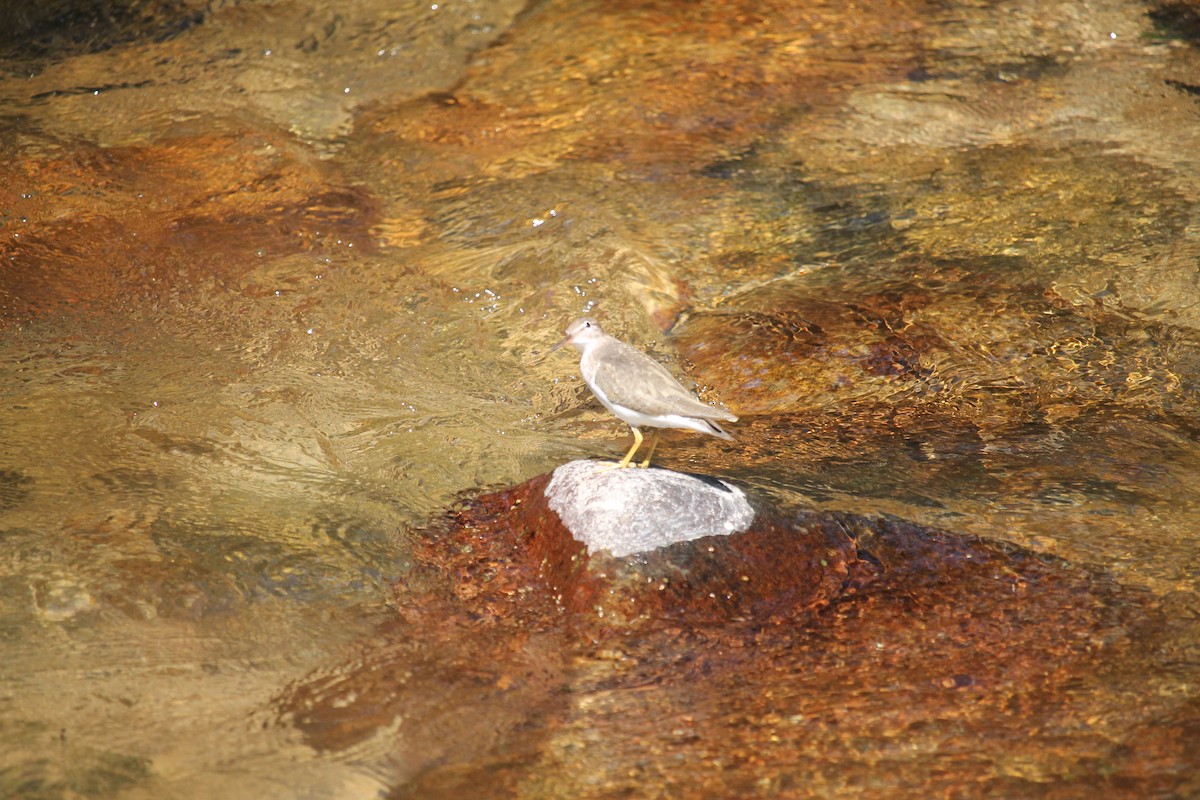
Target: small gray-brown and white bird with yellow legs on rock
[638, 389]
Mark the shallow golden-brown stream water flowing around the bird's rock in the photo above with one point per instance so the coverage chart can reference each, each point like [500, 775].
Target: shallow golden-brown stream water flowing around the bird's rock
[279, 281]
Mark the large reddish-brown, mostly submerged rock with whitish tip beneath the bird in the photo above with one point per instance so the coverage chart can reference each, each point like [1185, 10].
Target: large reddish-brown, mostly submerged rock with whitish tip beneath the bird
[813, 645]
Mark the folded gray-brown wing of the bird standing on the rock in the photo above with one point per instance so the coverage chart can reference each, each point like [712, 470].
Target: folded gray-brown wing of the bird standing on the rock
[638, 382]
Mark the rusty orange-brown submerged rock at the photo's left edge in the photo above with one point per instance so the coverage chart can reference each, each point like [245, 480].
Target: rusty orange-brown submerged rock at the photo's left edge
[101, 228]
